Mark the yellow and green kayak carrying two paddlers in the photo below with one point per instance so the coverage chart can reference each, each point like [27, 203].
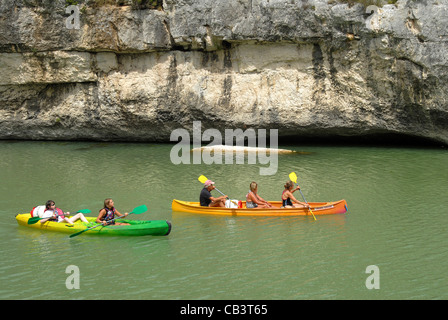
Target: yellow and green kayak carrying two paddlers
[135, 227]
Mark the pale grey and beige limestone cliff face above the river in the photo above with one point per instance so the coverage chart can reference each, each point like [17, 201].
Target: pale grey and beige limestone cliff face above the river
[307, 68]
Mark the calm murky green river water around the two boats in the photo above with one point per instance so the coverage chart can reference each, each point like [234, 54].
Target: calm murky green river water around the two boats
[397, 220]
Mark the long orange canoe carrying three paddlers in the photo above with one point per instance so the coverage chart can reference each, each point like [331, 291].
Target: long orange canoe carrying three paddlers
[318, 208]
